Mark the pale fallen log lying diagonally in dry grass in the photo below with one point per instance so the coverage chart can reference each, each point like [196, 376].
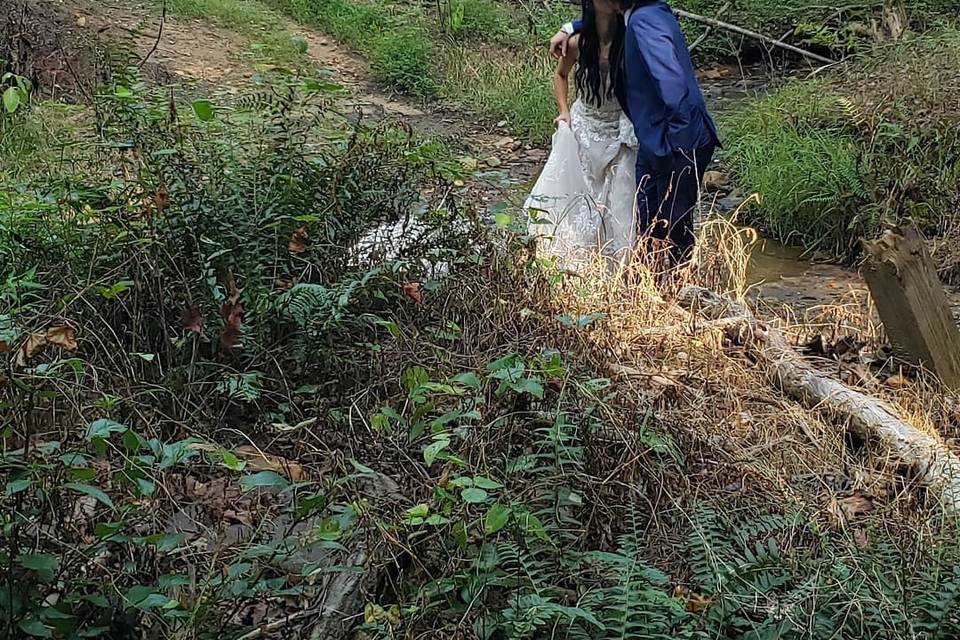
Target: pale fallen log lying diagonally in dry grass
[868, 417]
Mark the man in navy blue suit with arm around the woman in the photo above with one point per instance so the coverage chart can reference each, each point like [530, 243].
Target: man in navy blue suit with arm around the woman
[676, 135]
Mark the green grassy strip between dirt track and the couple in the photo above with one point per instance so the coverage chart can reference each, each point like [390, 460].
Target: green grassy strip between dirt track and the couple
[482, 55]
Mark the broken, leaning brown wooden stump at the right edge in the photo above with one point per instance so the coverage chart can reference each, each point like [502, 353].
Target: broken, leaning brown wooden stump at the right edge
[912, 303]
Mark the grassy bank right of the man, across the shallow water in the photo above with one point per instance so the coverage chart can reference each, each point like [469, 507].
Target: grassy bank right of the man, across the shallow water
[835, 158]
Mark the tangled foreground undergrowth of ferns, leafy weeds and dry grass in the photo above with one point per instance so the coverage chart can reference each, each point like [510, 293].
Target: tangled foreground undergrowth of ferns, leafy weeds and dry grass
[225, 397]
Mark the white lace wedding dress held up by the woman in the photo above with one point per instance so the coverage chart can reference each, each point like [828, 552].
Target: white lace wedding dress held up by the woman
[582, 206]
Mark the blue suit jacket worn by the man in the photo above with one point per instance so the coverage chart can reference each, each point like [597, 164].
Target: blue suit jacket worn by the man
[659, 90]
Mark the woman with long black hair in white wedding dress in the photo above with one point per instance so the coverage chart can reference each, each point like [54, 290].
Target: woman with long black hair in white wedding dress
[583, 203]
